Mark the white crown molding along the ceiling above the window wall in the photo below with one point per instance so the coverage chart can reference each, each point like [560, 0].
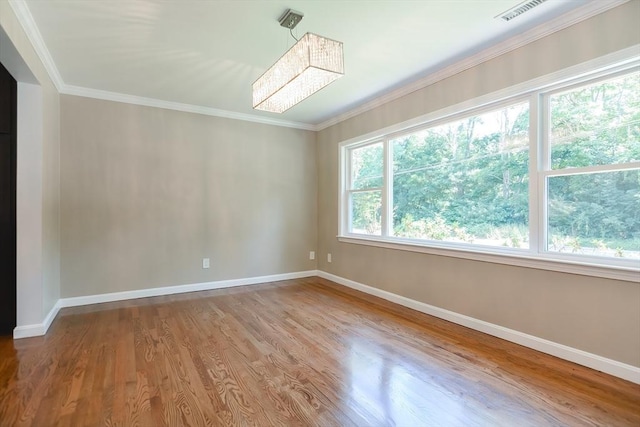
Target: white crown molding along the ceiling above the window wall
[568, 19]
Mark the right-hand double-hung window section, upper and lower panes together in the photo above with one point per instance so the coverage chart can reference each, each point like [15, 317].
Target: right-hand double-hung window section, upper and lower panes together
[593, 182]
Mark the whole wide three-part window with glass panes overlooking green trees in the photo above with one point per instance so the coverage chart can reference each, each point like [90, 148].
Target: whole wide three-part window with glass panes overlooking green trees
[550, 174]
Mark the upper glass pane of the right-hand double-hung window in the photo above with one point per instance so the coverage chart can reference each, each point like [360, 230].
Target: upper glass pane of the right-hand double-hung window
[598, 124]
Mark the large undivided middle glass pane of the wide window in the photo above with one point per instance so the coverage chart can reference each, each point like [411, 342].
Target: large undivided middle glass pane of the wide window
[465, 181]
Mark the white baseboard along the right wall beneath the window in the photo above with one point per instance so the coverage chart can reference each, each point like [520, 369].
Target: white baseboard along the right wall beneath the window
[599, 363]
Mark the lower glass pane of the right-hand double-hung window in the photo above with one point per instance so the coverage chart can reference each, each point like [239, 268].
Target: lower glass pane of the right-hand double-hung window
[595, 214]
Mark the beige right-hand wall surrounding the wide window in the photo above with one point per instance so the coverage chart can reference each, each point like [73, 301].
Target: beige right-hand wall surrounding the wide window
[596, 315]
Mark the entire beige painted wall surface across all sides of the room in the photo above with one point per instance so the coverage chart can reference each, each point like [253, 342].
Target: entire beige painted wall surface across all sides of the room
[147, 193]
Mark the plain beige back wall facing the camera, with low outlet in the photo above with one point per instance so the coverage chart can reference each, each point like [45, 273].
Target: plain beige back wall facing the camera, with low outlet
[147, 193]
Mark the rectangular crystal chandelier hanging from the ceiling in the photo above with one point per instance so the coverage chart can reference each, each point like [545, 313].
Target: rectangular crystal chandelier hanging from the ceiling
[311, 64]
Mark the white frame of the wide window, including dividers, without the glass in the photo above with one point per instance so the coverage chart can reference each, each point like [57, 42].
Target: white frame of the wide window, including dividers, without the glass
[537, 93]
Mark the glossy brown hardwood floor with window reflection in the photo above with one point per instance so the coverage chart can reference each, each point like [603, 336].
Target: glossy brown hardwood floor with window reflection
[303, 352]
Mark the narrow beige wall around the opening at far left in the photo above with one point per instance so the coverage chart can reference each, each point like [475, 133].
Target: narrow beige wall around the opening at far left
[38, 173]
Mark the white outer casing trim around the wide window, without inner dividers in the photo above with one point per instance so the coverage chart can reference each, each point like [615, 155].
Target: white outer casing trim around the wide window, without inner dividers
[614, 268]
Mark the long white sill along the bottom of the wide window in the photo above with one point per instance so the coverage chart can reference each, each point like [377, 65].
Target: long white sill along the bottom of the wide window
[524, 259]
